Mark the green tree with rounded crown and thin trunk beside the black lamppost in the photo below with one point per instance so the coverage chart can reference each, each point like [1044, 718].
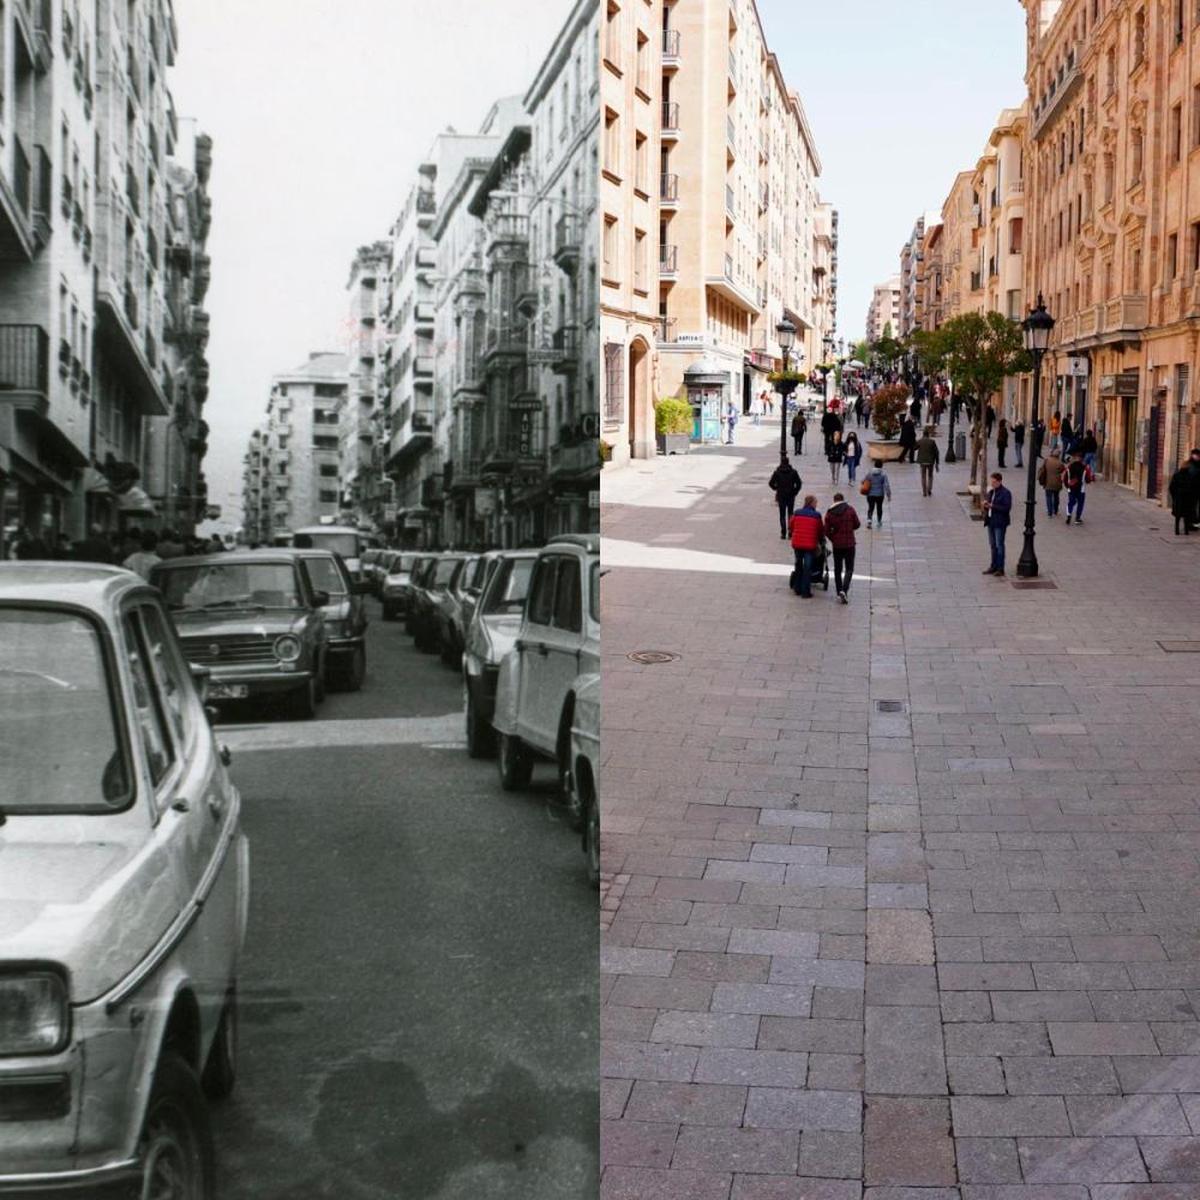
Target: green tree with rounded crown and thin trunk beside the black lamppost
[979, 351]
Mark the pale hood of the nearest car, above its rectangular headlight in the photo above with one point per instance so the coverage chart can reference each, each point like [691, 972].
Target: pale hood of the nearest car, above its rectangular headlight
[87, 901]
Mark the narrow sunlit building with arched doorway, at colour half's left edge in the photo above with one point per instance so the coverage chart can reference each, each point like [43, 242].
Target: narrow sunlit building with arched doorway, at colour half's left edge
[640, 260]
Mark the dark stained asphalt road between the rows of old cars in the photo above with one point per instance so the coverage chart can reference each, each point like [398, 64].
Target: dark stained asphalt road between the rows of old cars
[421, 993]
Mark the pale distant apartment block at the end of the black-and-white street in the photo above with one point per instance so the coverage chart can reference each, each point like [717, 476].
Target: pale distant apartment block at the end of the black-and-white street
[292, 475]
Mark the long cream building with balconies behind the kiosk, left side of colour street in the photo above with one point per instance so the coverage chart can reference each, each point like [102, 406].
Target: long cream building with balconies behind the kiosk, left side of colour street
[739, 199]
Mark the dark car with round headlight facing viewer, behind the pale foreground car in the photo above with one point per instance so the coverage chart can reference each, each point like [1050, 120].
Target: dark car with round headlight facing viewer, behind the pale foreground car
[255, 621]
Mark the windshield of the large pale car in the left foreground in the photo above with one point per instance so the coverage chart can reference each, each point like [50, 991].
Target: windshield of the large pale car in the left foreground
[59, 748]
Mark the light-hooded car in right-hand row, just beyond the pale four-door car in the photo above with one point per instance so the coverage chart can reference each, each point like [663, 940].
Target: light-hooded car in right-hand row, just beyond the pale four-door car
[493, 633]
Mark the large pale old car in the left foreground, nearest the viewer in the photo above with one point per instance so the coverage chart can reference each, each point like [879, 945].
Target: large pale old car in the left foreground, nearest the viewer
[124, 890]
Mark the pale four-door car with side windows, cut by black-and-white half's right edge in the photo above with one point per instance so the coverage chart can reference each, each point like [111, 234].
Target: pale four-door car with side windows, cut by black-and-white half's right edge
[559, 645]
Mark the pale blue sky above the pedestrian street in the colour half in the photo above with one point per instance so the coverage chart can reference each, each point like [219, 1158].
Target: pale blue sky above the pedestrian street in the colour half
[901, 97]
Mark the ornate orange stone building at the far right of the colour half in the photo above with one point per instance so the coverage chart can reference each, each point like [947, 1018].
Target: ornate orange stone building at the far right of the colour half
[1114, 237]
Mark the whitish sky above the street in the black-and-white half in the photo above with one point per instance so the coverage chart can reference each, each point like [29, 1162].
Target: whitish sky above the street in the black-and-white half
[321, 112]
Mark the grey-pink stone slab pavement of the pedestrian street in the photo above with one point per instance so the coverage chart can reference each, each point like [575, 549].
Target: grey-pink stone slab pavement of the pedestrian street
[905, 895]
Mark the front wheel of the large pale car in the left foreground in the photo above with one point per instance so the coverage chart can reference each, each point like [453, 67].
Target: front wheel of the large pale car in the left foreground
[176, 1150]
